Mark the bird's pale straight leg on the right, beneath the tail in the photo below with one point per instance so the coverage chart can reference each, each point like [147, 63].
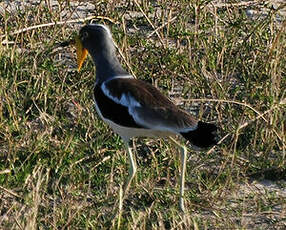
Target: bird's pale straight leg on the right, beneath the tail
[183, 171]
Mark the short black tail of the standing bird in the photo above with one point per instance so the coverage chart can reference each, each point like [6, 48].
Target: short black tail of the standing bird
[204, 136]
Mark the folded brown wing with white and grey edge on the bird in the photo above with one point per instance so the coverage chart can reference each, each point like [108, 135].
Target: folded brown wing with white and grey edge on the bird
[148, 106]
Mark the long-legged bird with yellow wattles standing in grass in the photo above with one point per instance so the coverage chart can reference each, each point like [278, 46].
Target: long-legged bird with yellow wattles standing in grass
[133, 107]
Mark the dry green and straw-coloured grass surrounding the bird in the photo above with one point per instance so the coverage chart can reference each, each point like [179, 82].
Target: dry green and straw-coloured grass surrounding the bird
[62, 167]
